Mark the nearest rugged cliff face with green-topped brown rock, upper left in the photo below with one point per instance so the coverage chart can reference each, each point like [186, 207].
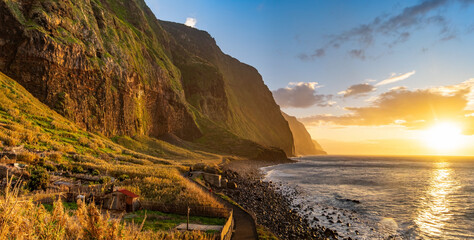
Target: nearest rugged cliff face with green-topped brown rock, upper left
[99, 63]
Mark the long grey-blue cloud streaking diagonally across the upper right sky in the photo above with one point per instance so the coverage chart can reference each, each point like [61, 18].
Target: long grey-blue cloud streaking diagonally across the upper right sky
[397, 28]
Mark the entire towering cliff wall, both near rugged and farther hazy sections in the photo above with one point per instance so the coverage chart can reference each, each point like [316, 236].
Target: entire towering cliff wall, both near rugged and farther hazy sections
[109, 66]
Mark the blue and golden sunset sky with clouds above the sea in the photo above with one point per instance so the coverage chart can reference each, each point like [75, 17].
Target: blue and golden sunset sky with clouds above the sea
[365, 77]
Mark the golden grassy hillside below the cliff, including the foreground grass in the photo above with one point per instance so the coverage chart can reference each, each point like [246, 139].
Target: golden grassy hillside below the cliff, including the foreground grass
[49, 143]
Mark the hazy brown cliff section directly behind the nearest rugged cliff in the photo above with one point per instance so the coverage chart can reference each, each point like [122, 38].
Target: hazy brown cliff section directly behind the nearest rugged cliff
[231, 93]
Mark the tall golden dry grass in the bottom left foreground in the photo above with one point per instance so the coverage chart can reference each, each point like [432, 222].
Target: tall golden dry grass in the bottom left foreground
[22, 219]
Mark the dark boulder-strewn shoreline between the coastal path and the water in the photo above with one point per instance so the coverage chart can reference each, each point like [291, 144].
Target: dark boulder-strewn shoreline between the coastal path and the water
[270, 208]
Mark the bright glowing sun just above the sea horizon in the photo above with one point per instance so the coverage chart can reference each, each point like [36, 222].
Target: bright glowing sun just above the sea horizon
[444, 137]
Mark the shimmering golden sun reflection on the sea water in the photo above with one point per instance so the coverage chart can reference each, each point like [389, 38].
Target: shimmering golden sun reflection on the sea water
[435, 207]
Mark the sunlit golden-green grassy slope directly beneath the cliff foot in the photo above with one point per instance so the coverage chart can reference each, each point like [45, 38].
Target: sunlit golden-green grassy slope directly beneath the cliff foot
[26, 121]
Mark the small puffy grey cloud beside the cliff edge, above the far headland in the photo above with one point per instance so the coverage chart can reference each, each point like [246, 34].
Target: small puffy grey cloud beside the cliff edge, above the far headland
[301, 95]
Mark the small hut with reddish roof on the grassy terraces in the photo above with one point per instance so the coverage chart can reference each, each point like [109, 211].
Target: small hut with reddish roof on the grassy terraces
[122, 200]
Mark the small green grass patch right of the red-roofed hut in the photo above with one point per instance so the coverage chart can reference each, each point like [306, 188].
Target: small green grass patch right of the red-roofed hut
[158, 221]
